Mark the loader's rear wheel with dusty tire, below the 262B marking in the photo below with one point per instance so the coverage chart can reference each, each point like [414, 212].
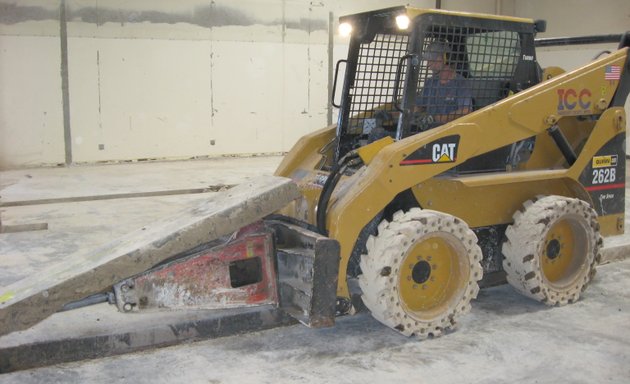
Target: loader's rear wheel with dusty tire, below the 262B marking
[552, 249]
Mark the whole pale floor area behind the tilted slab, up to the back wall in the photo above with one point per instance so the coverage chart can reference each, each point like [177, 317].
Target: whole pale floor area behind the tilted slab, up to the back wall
[75, 226]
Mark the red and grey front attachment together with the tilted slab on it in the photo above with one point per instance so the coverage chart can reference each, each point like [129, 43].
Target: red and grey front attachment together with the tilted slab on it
[220, 254]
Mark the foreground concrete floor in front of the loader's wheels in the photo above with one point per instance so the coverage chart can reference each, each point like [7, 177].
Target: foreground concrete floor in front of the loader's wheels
[506, 338]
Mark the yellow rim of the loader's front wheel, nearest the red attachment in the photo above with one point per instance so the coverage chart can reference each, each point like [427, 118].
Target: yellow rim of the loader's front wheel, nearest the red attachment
[431, 276]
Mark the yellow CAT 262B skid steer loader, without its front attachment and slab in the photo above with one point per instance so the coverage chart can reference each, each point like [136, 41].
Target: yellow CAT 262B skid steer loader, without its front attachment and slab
[520, 183]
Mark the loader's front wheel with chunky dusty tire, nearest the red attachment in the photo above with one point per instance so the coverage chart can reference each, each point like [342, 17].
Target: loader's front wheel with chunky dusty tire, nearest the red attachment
[421, 272]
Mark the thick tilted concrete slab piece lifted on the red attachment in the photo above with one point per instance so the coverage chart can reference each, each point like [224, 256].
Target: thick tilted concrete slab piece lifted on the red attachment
[28, 301]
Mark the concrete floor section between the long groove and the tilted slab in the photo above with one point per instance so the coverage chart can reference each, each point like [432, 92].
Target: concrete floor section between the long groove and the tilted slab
[73, 227]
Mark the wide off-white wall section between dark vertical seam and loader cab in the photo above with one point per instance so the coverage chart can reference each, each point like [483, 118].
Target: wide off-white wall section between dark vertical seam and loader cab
[218, 80]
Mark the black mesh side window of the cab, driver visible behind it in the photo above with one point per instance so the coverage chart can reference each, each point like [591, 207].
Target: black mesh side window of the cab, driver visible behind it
[464, 69]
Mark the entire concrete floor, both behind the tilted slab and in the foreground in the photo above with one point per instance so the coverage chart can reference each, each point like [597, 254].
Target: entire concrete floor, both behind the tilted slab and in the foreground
[506, 338]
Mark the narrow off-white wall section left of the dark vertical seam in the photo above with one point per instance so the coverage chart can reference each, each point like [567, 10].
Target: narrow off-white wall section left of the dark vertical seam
[31, 124]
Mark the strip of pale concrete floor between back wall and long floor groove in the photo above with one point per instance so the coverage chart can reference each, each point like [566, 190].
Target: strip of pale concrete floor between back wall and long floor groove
[25, 185]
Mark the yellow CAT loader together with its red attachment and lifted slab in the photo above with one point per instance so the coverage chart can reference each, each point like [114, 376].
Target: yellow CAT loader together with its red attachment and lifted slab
[456, 161]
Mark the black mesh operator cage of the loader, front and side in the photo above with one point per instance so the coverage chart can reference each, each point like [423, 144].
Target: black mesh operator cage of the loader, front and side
[491, 59]
